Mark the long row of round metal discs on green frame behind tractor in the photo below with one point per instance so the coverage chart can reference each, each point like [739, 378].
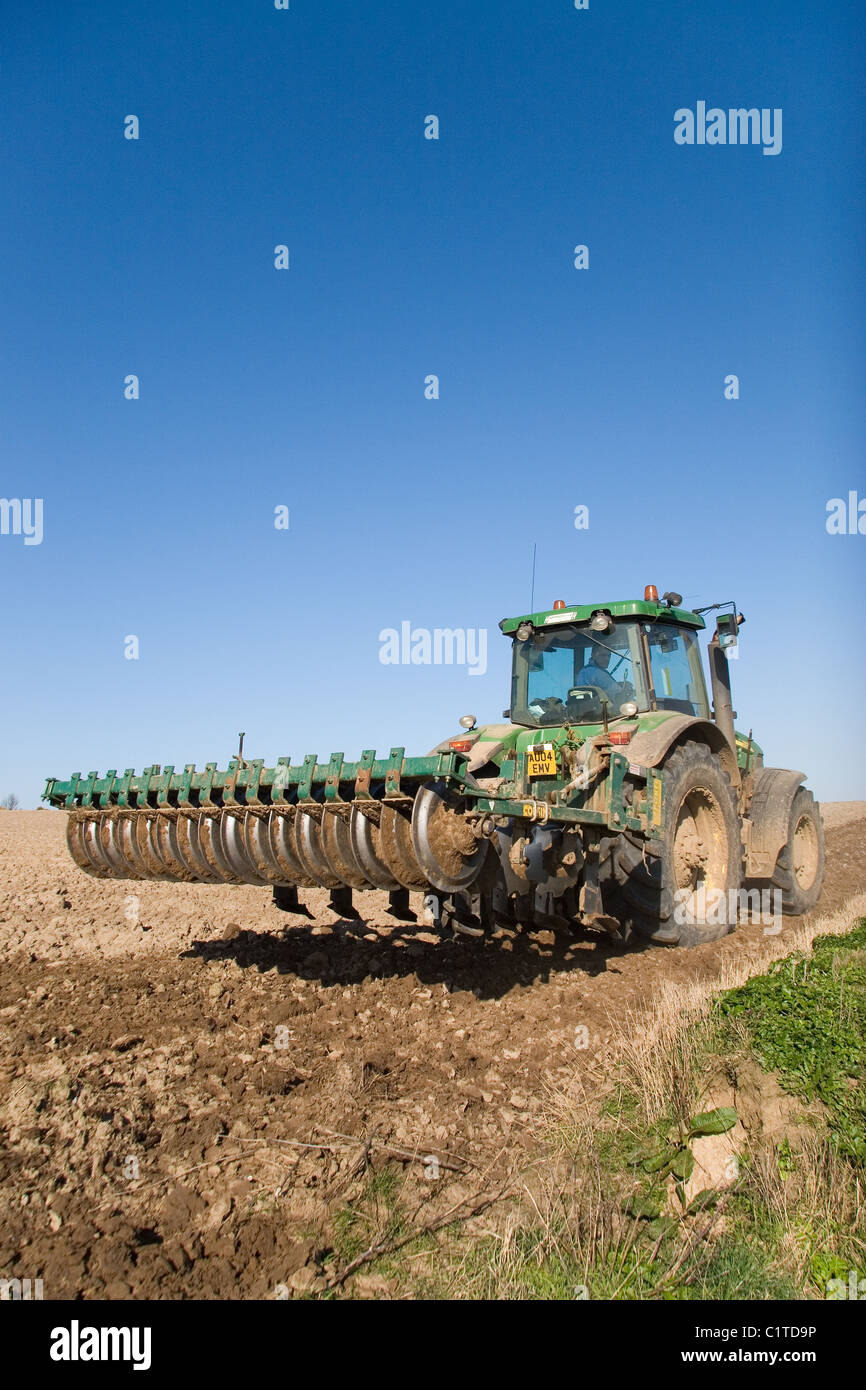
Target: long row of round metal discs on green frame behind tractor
[390, 824]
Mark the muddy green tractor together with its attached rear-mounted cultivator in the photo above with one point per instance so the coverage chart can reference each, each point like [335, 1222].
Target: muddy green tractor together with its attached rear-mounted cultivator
[611, 797]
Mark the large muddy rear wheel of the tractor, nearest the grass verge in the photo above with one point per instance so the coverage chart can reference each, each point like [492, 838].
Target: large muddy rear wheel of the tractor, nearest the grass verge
[657, 897]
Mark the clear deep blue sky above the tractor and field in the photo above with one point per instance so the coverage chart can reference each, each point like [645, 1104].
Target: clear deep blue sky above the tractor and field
[412, 258]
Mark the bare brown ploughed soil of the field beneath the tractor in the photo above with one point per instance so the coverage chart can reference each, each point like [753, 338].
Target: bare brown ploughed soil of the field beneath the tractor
[193, 1084]
